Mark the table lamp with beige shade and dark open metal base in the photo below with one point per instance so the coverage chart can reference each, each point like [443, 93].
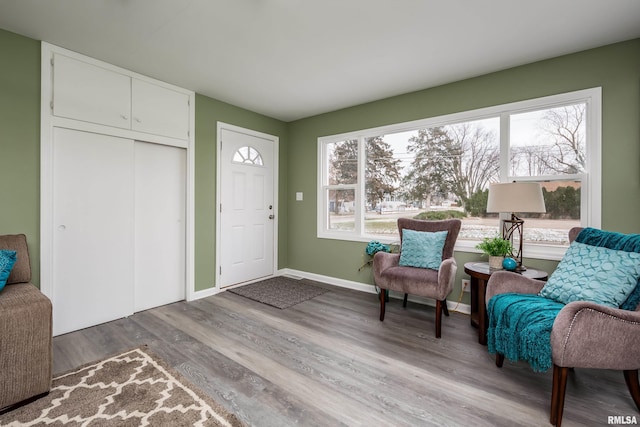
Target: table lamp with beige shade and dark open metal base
[515, 197]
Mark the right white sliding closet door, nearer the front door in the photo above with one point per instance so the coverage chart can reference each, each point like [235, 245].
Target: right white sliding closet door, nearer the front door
[160, 248]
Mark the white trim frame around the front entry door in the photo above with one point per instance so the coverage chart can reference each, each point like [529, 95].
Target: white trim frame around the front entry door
[276, 141]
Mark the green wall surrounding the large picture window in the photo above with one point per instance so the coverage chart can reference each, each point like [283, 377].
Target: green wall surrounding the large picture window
[616, 68]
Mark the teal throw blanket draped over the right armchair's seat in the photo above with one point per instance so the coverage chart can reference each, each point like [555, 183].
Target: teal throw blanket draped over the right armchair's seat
[520, 328]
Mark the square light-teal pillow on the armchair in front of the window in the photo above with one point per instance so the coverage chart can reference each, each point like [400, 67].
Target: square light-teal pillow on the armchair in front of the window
[422, 249]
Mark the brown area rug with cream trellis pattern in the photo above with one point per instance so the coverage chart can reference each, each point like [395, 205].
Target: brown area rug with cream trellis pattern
[135, 388]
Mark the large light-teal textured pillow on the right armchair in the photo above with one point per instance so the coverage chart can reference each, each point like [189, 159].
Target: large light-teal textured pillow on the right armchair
[593, 273]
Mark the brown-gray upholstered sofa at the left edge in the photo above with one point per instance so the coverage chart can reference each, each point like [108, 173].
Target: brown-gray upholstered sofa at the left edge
[26, 344]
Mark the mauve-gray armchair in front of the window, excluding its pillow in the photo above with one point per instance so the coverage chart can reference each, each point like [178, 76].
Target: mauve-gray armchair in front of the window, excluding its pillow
[437, 284]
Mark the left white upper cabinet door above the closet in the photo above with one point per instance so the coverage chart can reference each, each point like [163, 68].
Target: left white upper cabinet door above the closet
[90, 93]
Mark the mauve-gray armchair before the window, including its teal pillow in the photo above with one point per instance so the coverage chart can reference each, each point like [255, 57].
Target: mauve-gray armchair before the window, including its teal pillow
[434, 282]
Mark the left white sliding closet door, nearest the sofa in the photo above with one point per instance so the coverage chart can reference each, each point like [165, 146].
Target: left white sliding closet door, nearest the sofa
[93, 229]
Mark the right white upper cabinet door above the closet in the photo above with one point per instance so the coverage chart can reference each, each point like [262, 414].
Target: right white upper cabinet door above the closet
[159, 110]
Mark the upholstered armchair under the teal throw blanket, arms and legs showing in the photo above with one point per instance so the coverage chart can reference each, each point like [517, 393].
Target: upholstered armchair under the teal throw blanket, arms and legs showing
[584, 335]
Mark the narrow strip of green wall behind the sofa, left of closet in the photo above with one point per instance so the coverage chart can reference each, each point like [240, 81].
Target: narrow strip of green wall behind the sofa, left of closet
[20, 142]
